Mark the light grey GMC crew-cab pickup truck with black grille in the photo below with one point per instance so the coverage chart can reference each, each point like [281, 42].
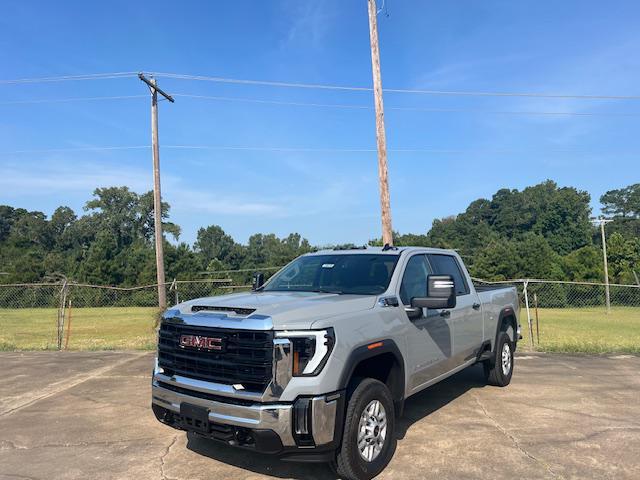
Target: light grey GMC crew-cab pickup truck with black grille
[316, 363]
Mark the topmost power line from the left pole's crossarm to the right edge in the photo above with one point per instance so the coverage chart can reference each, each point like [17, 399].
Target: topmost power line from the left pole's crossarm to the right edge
[392, 90]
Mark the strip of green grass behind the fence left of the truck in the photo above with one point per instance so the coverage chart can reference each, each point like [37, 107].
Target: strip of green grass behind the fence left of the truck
[112, 328]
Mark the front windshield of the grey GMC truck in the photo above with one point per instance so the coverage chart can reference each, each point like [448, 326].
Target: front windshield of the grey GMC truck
[360, 274]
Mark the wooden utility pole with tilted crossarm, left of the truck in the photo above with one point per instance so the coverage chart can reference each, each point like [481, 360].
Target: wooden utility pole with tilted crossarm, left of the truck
[157, 198]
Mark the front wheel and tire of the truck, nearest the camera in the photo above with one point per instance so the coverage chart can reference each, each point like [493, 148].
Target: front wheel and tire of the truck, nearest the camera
[368, 439]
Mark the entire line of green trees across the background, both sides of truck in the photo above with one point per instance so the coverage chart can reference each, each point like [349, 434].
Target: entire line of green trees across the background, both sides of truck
[543, 231]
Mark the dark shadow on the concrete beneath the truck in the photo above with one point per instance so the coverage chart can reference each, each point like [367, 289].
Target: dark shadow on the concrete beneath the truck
[417, 407]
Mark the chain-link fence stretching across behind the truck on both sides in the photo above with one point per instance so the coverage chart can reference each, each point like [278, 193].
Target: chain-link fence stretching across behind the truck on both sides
[555, 315]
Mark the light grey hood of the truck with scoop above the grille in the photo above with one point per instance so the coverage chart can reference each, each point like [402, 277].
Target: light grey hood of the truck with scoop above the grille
[287, 310]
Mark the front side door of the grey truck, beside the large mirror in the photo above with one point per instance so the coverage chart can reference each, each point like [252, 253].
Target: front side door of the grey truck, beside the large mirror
[430, 335]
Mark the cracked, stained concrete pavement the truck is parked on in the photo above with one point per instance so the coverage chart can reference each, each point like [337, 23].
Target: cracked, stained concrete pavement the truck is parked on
[86, 415]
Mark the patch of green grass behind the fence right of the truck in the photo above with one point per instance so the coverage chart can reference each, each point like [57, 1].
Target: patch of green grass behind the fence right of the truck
[585, 330]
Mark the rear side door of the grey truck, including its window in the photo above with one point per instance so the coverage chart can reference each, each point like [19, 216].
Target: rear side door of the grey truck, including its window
[466, 317]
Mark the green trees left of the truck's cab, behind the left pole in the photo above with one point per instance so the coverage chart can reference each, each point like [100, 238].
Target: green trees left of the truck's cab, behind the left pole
[112, 244]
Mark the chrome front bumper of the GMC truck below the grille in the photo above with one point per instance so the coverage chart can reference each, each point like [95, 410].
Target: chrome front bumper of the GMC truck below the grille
[277, 417]
